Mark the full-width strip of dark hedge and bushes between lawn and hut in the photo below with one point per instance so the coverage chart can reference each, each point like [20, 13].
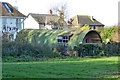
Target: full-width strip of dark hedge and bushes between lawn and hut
[14, 51]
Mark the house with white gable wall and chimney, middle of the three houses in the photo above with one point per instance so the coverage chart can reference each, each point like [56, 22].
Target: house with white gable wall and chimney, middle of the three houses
[43, 21]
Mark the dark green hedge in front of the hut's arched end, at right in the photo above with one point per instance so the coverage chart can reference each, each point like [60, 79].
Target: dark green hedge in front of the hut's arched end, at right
[98, 49]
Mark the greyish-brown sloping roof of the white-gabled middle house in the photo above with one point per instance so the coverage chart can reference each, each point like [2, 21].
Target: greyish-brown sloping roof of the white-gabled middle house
[42, 18]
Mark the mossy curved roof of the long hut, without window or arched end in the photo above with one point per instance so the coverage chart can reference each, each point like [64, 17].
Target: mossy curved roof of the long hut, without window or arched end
[49, 37]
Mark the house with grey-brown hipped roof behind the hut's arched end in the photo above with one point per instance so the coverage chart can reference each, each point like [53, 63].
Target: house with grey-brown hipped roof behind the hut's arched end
[80, 20]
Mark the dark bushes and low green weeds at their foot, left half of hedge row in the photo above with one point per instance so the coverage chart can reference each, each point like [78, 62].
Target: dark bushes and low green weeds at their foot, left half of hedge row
[14, 51]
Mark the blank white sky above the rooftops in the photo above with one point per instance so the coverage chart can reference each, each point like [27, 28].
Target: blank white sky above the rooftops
[105, 11]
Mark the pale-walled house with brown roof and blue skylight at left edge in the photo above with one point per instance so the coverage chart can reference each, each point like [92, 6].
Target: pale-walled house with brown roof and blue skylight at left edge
[12, 21]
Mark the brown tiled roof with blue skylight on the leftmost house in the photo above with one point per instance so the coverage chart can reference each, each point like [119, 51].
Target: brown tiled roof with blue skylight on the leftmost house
[13, 11]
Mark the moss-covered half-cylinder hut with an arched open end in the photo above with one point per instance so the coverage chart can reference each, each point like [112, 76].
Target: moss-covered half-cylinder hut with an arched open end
[55, 37]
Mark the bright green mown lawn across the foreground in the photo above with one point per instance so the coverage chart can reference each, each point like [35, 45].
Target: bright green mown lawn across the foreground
[66, 68]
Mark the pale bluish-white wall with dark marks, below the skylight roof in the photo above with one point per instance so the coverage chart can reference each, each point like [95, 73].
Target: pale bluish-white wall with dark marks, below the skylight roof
[10, 27]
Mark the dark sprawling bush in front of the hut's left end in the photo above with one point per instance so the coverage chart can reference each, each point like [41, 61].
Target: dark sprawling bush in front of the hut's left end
[15, 49]
